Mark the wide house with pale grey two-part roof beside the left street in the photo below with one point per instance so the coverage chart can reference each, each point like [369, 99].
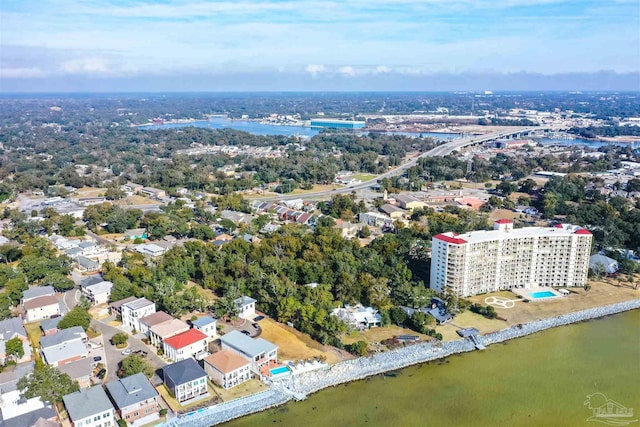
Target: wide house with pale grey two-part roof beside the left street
[66, 346]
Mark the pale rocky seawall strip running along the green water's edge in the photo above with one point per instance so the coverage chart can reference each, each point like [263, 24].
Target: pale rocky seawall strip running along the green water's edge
[357, 369]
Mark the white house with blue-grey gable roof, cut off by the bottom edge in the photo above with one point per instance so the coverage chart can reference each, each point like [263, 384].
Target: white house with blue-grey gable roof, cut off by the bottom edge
[90, 407]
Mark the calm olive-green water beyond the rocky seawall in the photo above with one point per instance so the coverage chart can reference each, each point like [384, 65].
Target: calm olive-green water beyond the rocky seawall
[540, 380]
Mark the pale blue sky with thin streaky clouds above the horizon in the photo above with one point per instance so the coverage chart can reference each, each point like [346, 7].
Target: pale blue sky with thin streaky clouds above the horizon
[192, 45]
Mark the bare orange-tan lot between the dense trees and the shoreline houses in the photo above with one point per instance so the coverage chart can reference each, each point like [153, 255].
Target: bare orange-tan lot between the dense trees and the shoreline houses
[293, 344]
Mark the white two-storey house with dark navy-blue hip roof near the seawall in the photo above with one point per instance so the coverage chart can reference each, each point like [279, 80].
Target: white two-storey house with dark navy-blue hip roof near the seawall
[186, 380]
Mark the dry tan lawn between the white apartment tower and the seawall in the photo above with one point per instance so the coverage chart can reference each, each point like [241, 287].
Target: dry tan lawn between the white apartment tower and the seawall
[601, 293]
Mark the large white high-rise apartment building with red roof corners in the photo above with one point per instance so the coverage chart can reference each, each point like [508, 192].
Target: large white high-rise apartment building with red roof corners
[506, 258]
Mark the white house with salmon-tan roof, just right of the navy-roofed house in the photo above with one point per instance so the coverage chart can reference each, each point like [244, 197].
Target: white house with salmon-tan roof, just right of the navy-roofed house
[227, 368]
